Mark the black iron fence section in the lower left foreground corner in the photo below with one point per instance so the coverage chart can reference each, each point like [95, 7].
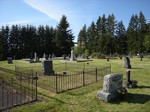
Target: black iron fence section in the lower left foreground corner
[17, 91]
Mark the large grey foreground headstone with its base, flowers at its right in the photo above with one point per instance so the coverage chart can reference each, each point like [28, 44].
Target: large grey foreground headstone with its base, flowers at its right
[112, 82]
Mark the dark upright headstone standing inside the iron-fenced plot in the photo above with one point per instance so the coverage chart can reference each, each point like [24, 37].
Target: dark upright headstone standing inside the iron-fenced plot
[47, 67]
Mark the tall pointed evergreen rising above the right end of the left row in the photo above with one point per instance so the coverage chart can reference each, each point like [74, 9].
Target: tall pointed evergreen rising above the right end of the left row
[64, 37]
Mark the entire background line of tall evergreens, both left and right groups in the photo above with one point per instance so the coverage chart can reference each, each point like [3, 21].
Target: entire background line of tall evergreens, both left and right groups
[106, 36]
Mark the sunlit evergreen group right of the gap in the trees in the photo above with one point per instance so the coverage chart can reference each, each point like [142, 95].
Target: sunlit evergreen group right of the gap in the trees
[107, 36]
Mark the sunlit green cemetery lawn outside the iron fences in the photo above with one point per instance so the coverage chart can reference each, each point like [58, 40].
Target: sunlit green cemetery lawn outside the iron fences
[84, 98]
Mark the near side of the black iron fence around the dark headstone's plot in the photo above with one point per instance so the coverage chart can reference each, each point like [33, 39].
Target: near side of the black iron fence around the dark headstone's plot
[63, 81]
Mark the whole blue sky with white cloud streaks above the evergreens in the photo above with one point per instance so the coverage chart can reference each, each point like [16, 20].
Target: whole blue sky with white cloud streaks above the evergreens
[78, 12]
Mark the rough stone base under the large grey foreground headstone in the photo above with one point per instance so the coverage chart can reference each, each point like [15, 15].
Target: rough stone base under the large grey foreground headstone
[107, 97]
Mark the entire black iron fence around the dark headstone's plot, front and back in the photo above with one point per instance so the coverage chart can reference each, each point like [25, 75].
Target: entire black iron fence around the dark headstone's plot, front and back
[68, 76]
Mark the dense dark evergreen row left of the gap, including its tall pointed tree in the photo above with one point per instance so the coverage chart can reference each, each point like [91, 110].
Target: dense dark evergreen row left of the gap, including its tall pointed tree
[22, 41]
